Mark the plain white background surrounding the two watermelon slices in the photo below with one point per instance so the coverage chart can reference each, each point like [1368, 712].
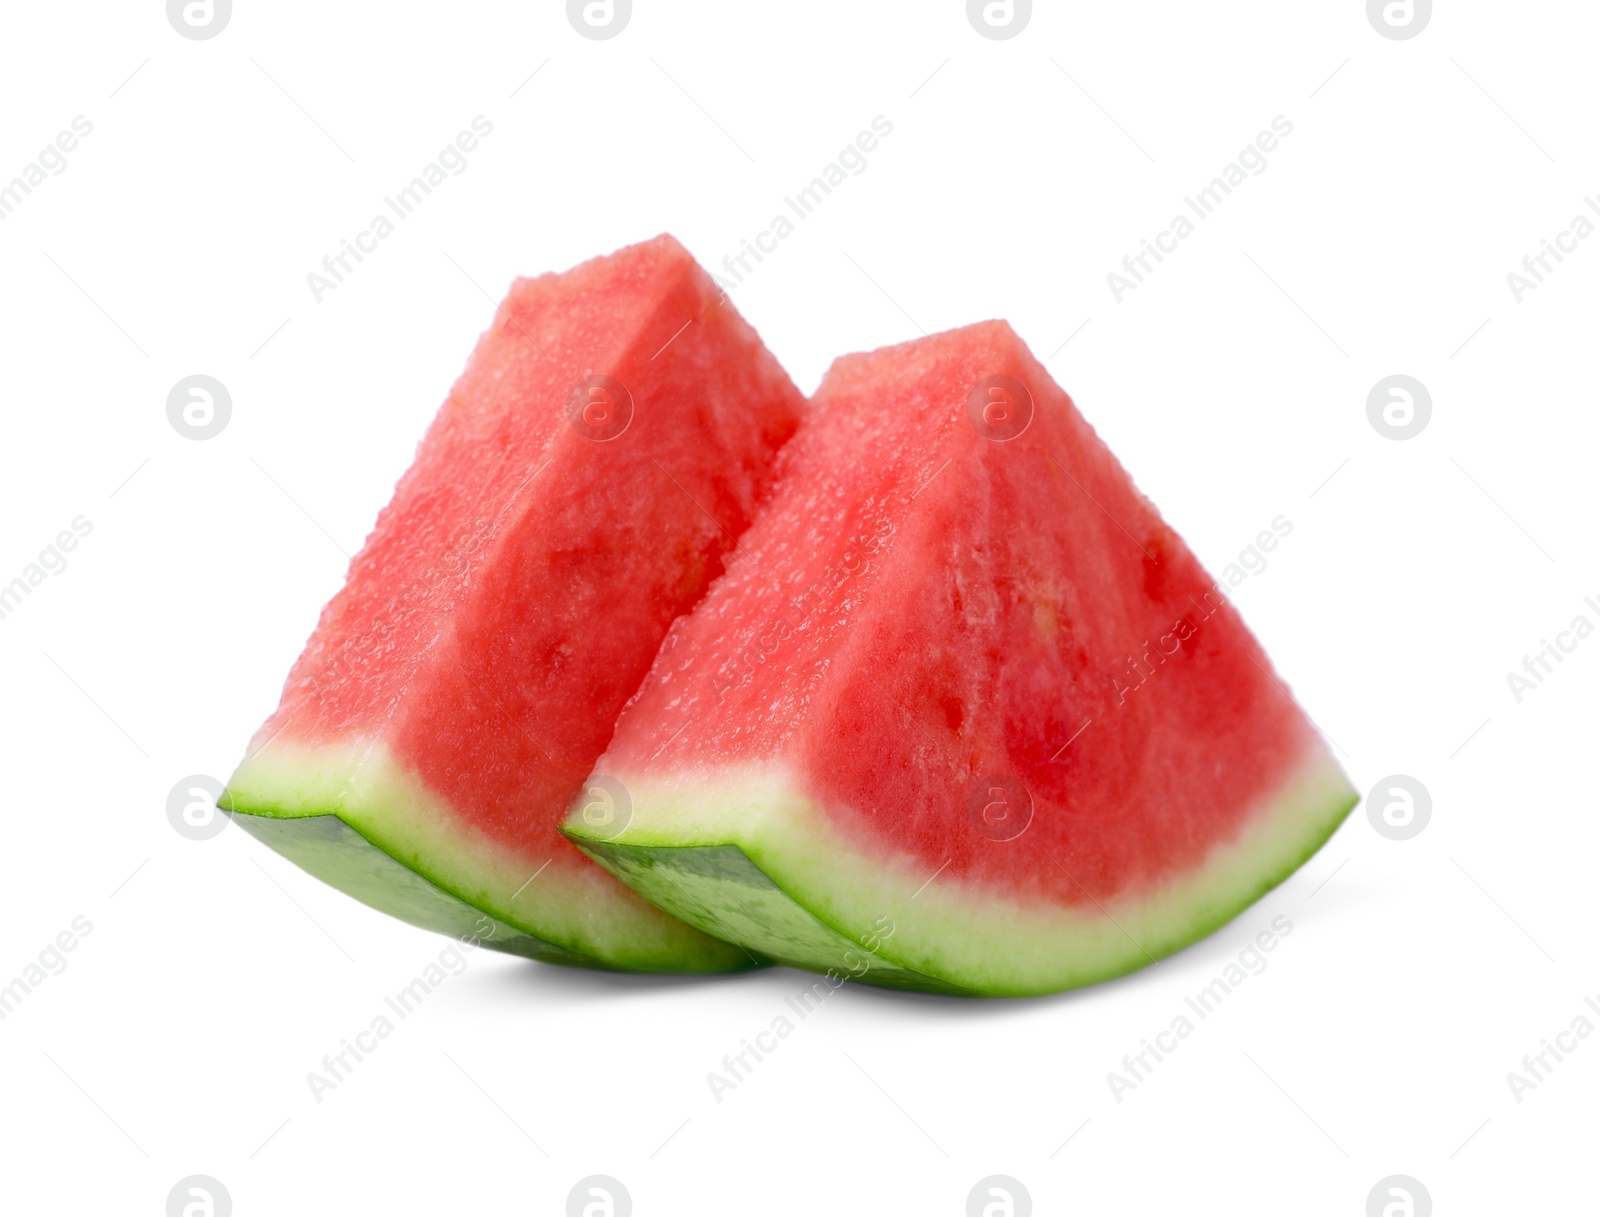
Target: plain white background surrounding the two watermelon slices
[1233, 383]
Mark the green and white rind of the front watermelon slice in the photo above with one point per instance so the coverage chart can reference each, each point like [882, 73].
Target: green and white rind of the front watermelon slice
[748, 860]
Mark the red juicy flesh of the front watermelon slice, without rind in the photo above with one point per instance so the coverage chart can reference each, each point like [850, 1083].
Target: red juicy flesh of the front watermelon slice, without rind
[922, 608]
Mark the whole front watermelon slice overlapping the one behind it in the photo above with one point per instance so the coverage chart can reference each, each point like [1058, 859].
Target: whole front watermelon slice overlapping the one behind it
[964, 714]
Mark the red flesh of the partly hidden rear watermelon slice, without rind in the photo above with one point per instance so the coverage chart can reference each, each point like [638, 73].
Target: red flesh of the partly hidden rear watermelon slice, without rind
[516, 589]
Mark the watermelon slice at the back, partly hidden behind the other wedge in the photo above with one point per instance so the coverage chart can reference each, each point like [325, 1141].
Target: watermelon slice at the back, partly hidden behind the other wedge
[609, 442]
